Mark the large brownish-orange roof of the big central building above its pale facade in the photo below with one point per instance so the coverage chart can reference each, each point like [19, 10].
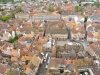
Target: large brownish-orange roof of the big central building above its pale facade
[56, 27]
